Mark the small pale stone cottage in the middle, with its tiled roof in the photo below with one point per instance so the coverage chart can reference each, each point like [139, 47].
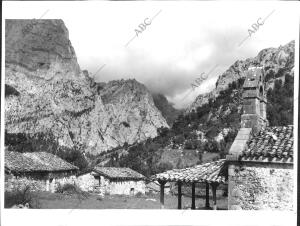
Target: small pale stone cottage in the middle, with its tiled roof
[112, 180]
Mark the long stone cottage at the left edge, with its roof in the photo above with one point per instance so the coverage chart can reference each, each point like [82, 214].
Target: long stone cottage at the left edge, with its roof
[42, 171]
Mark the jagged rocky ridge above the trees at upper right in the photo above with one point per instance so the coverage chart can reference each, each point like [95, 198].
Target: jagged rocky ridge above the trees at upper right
[272, 61]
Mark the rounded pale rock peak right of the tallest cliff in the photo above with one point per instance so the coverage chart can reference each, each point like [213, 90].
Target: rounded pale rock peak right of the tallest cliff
[124, 112]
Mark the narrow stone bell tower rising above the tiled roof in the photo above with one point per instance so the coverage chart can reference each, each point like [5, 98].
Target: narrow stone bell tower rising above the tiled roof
[254, 101]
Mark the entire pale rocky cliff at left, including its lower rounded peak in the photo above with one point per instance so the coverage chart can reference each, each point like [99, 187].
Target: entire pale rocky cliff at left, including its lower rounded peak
[45, 91]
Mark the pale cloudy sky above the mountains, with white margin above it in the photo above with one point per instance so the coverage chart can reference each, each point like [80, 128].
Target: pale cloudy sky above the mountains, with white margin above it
[184, 39]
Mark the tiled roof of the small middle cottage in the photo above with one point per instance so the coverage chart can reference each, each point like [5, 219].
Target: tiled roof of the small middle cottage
[118, 173]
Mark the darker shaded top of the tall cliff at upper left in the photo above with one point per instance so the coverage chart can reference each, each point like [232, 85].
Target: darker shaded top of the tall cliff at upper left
[38, 46]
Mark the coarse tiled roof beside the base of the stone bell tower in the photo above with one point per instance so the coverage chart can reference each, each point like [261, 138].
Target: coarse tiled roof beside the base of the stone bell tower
[271, 144]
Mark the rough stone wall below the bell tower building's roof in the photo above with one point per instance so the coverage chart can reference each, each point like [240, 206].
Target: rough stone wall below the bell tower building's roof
[260, 186]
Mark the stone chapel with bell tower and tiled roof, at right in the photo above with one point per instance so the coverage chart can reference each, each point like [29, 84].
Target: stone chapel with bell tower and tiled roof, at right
[260, 160]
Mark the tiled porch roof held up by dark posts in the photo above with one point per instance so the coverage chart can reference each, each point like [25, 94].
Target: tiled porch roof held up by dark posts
[209, 172]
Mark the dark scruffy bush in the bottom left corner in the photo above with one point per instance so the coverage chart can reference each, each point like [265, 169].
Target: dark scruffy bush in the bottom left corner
[21, 196]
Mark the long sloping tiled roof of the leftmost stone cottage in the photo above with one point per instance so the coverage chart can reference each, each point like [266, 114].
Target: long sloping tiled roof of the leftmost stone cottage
[35, 162]
